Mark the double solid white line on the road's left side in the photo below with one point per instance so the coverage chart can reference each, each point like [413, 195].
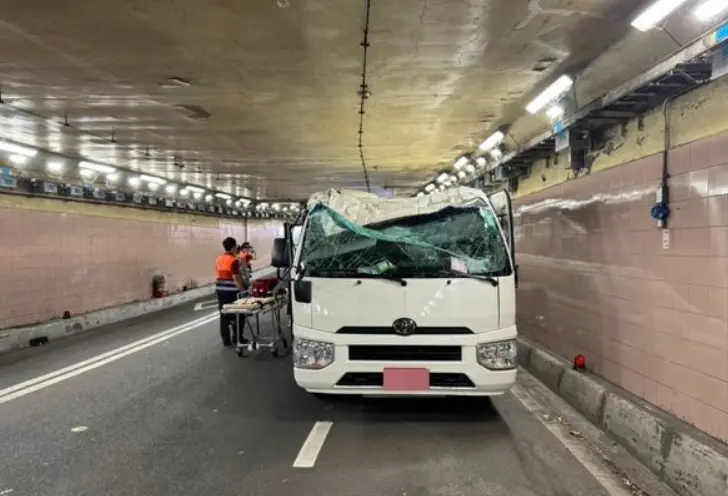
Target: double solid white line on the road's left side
[59, 375]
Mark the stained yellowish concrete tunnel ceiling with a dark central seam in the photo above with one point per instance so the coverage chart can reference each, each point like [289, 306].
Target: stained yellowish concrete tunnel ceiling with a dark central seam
[241, 94]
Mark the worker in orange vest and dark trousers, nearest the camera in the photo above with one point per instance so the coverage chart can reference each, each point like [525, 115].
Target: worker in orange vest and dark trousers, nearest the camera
[228, 285]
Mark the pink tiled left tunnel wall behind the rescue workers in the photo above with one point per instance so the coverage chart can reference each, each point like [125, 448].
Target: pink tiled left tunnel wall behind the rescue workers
[57, 256]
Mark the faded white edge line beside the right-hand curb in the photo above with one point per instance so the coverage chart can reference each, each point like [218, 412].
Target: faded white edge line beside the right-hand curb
[582, 455]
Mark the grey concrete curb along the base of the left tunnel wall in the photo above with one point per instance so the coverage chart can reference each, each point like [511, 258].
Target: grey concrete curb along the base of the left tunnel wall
[20, 337]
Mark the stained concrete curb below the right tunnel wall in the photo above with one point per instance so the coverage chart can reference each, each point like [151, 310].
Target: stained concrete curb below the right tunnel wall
[689, 461]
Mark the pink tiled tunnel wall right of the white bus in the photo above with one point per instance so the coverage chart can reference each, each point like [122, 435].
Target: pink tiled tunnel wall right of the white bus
[594, 279]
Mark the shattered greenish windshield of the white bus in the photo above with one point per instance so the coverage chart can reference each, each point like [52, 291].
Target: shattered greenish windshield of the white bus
[464, 240]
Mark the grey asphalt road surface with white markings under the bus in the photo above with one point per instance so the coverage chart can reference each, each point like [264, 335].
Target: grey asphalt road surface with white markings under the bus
[156, 406]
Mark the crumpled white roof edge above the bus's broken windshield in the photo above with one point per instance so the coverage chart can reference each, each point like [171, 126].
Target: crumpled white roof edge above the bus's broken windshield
[366, 208]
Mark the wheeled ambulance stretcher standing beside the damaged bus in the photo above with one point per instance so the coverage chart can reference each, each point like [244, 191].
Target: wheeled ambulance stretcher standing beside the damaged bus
[248, 311]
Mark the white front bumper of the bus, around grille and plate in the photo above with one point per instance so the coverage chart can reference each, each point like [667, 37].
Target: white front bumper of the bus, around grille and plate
[480, 381]
